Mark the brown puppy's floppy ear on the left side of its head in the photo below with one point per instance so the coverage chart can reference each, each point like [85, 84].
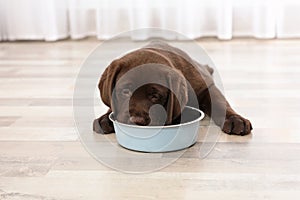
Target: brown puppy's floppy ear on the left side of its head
[108, 81]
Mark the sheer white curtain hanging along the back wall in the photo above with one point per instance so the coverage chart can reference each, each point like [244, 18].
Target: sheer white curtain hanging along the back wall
[52, 20]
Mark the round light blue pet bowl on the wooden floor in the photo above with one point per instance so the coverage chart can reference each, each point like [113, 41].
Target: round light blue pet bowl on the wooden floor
[160, 138]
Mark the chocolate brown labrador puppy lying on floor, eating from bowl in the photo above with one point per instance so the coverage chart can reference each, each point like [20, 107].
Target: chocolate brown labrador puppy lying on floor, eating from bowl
[152, 85]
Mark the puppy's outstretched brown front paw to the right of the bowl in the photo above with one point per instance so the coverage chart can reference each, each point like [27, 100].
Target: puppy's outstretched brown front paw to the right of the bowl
[237, 125]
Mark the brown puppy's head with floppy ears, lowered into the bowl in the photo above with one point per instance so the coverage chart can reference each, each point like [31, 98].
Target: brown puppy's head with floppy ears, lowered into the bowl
[150, 94]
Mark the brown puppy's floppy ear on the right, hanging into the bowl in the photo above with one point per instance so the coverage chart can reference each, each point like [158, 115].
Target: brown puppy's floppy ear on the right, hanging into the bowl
[178, 95]
